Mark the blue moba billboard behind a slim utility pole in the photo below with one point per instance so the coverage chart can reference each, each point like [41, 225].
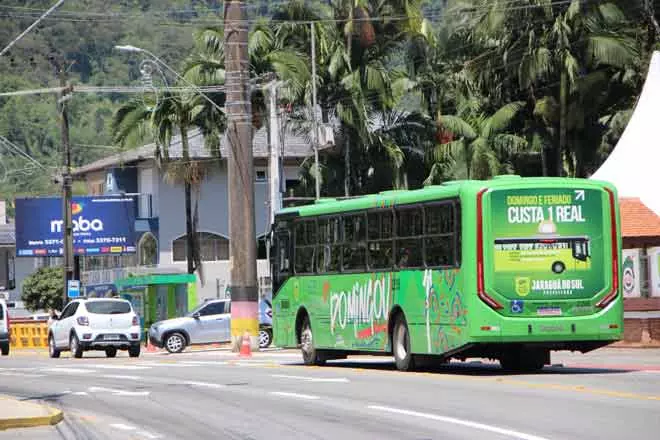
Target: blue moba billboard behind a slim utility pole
[102, 225]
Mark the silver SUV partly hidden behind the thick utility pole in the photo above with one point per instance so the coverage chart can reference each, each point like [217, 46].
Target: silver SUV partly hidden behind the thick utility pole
[209, 323]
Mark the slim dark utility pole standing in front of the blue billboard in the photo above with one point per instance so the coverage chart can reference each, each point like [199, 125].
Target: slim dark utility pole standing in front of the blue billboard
[70, 264]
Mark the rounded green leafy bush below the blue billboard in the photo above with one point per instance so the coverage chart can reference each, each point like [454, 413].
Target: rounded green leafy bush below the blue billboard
[43, 290]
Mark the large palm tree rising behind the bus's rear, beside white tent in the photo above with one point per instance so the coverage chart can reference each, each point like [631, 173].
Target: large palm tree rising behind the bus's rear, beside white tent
[546, 54]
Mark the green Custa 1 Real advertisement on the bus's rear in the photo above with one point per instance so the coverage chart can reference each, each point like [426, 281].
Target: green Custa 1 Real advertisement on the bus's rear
[547, 244]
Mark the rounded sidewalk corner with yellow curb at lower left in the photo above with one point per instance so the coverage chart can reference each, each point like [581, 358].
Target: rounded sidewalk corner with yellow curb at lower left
[15, 413]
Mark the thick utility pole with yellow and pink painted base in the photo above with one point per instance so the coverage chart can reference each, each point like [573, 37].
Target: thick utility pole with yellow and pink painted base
[242, 231]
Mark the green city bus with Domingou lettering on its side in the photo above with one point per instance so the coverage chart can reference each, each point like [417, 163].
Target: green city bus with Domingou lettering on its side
[508, 269]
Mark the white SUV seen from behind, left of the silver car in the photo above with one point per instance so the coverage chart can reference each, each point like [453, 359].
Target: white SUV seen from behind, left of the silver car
[106, 324]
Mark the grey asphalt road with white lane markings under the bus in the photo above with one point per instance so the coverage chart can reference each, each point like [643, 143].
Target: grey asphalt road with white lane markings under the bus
[610, 394]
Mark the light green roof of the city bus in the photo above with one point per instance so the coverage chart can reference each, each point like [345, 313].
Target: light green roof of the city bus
[445, 190]
